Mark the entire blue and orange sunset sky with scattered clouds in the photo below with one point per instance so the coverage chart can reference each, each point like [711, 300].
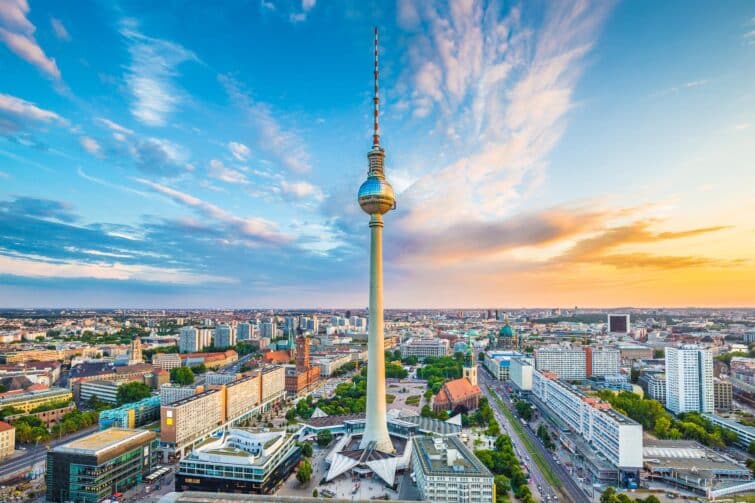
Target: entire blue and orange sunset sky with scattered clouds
[544, 153]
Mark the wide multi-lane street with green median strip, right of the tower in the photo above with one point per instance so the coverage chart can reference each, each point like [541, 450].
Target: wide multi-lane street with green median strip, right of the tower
[569, 486]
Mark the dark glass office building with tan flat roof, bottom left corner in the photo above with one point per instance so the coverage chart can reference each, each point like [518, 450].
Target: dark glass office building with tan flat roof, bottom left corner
[99, 465]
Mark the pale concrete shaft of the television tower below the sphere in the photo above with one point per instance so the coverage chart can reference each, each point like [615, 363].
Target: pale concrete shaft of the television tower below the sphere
[376, 426]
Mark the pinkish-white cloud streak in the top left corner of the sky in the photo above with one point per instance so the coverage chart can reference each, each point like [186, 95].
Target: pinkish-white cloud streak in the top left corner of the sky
[17, 33]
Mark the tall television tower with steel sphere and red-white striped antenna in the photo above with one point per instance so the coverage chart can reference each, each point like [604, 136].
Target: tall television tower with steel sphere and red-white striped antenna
[376, 198]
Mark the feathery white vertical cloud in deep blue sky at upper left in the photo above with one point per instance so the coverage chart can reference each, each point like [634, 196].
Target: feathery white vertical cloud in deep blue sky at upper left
[150, 75]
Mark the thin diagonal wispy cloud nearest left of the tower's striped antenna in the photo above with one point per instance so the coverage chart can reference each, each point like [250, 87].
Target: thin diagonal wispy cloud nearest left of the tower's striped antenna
[284, 144]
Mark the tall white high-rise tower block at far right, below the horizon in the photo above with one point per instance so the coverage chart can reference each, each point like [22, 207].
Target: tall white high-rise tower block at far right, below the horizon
[689, 379]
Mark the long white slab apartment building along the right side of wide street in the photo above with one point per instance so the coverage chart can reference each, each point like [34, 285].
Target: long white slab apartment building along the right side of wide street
[613, 435]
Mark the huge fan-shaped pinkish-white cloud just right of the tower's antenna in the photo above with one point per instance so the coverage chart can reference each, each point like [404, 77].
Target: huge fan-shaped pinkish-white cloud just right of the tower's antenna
[505, 85]
